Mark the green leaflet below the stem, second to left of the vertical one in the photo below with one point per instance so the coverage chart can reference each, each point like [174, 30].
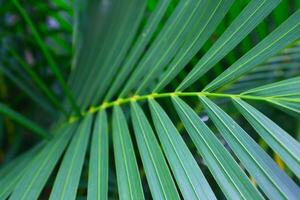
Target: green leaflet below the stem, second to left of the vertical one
[41, 167]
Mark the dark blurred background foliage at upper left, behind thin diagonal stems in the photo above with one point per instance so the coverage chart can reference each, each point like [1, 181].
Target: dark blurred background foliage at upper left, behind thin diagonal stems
[18, 47]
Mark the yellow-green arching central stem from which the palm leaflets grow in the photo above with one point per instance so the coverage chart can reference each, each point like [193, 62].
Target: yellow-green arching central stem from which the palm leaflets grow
[122, 101]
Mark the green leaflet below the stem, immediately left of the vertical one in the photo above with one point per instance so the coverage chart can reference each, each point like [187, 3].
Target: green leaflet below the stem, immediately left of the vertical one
[67, 179]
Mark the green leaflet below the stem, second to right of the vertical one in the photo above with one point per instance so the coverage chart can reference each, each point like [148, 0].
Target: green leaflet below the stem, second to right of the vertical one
[157, 172]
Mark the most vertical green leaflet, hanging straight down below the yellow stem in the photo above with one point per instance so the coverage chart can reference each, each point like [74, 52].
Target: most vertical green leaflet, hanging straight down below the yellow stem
[98, 169]
